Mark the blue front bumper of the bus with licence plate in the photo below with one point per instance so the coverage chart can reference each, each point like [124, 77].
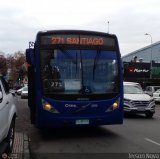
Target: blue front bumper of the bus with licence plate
[62, 121]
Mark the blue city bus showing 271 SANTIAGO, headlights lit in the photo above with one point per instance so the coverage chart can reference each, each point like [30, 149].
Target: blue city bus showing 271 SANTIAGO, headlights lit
[75, 78]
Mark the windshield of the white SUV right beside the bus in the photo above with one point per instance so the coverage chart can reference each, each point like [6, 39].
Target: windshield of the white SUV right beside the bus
[132, 89]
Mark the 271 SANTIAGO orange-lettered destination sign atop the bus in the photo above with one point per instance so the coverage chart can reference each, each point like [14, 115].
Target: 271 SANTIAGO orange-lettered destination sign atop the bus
[77, 40]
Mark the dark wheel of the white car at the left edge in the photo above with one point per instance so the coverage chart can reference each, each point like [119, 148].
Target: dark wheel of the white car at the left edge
[10, 137]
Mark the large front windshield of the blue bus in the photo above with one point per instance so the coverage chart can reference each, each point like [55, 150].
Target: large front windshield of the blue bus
[76, 71]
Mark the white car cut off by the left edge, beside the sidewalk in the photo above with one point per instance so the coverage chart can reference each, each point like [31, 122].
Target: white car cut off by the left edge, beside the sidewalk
[7, 117]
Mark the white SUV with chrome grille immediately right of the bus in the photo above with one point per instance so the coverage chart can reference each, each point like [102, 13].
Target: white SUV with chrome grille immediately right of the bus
[136, 101]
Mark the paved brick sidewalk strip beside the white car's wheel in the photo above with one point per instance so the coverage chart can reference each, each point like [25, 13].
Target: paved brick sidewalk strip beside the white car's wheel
[21, 147]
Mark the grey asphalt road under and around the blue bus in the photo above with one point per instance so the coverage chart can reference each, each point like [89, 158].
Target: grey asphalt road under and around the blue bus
[137, 135]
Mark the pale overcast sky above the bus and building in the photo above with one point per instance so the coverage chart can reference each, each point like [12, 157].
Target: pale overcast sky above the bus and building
[20, 20]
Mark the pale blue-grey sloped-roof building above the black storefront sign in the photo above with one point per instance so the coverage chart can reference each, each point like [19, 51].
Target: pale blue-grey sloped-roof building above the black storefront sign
[146, 54]
